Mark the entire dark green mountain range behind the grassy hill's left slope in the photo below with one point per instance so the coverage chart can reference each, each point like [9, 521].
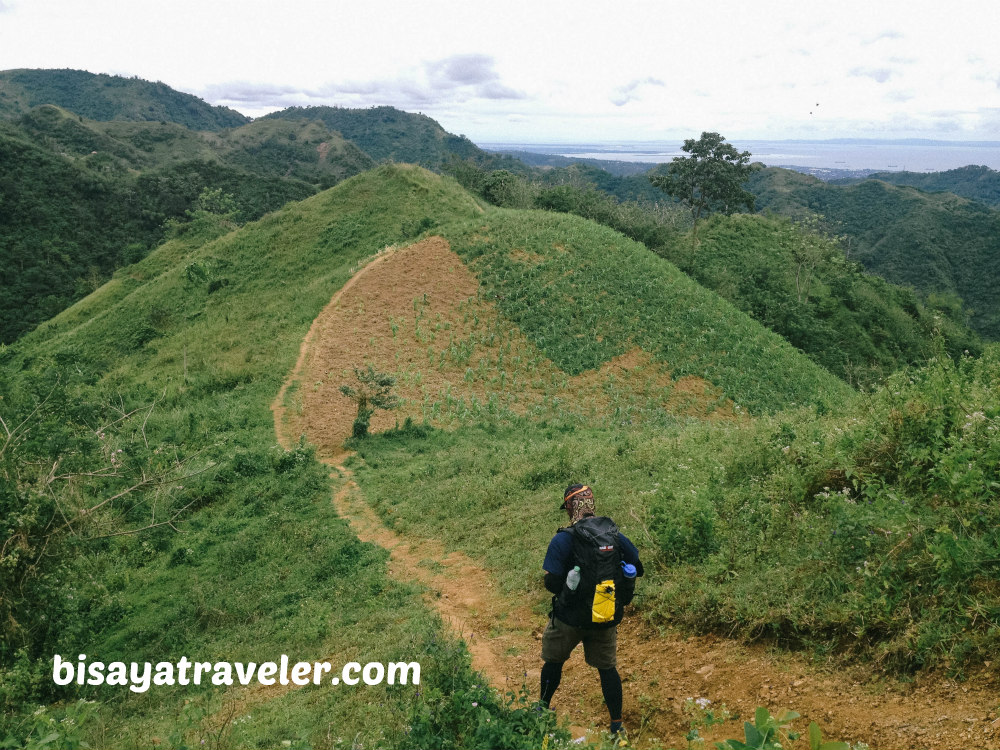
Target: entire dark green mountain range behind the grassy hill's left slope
[156, 151]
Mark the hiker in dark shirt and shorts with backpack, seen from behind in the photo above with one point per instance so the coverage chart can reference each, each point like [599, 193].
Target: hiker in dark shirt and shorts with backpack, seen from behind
[592, 611]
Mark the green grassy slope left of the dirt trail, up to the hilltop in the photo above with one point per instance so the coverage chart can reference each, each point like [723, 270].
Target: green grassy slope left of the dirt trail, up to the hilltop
[265, 565]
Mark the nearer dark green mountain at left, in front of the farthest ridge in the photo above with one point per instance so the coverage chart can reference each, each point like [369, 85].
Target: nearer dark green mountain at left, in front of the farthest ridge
[82, 198]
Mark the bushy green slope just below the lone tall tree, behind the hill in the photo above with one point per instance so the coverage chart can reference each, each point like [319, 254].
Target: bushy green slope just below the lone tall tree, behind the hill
[796, 280]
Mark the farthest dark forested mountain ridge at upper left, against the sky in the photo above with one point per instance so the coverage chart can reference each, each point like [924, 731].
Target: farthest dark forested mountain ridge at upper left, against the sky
[104, 97]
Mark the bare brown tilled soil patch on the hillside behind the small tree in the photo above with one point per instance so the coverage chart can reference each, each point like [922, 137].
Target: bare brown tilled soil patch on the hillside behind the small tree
[415, 312]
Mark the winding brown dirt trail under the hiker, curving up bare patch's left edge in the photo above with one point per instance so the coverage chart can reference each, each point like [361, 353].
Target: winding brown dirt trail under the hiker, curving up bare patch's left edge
[660, 670]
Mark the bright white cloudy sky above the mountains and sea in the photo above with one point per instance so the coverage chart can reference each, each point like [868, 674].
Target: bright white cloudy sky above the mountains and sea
[552, 71]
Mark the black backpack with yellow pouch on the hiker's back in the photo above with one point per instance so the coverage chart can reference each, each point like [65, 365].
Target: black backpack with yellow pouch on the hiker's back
[603, 592]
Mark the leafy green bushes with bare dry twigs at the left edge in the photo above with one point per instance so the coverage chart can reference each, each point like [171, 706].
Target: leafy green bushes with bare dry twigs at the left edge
[73, 474]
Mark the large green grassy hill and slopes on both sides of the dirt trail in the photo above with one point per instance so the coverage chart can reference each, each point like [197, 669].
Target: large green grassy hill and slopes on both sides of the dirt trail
[151, 397]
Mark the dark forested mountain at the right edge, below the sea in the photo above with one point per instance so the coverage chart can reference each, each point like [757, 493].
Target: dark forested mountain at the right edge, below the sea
[944, 246]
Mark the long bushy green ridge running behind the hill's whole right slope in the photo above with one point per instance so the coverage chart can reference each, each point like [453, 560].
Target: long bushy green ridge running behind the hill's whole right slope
[788, 275]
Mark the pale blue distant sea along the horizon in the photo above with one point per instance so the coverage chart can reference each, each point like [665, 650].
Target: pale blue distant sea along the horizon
[842, 154]
